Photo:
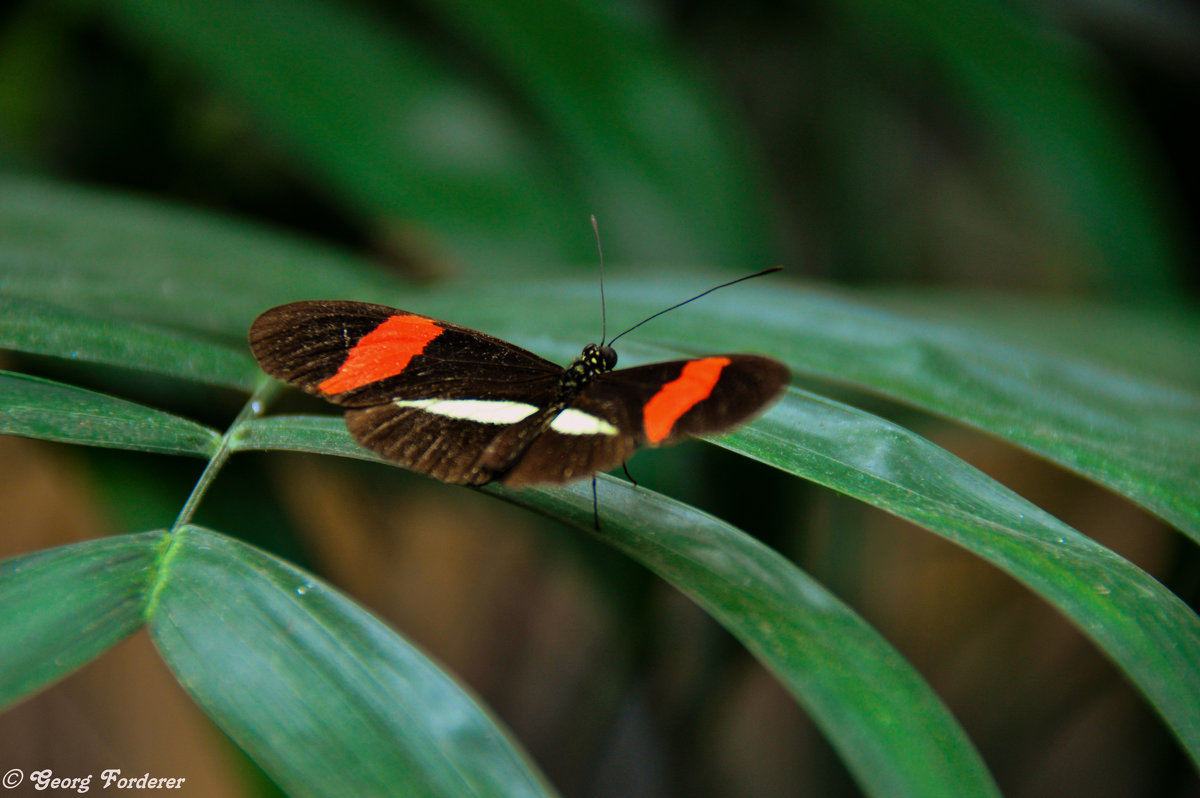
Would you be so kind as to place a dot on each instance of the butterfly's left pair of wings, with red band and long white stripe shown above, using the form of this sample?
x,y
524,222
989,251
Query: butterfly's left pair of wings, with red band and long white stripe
x,y
440,399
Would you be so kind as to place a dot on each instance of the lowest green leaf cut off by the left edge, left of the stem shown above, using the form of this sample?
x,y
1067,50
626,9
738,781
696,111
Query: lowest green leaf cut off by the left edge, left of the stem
x,y
63,607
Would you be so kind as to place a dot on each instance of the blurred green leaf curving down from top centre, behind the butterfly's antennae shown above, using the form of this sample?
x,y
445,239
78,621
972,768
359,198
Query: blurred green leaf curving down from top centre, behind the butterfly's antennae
x,y
637,127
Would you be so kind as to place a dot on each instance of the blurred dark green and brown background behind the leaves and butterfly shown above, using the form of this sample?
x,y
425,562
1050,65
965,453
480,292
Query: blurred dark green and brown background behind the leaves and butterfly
x,y
999,163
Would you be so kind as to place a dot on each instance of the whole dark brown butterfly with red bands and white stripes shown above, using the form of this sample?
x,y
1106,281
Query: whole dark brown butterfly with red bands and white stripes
x,y
469,409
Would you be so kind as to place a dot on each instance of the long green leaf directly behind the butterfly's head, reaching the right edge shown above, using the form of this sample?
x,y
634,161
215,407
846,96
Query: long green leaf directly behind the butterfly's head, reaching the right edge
x,y
1137,436
